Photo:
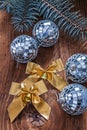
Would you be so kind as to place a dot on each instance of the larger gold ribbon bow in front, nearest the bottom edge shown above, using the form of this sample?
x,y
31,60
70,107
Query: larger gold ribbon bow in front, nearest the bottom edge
x,y
27,92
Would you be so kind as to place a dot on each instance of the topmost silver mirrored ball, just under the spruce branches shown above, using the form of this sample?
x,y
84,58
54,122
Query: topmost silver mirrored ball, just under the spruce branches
x,y
46,33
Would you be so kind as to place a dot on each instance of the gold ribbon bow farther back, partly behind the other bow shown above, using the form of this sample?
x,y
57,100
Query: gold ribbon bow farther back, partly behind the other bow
x,y
51,73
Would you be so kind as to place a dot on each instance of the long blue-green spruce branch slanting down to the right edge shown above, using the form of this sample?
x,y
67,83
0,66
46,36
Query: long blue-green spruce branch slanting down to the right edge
x,y
70,22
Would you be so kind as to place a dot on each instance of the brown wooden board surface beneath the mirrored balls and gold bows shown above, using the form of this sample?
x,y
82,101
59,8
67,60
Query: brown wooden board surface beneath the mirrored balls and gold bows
x,y
59,120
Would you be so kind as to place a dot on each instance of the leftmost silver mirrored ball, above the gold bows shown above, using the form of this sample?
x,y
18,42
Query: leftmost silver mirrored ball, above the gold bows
x,y
23,49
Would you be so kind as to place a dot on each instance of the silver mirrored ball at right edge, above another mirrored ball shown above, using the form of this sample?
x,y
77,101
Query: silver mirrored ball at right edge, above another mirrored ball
x,y
76,68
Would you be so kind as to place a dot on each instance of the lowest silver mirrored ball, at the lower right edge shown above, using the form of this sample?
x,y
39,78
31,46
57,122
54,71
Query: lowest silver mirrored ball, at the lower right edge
x,y
73,99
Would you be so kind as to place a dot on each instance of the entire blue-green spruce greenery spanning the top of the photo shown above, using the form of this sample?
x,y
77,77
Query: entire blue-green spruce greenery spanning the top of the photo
x,y
26,12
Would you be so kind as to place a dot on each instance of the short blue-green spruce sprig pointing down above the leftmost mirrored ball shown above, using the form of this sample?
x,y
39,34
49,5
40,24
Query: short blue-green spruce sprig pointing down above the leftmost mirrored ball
x,y
24,14
